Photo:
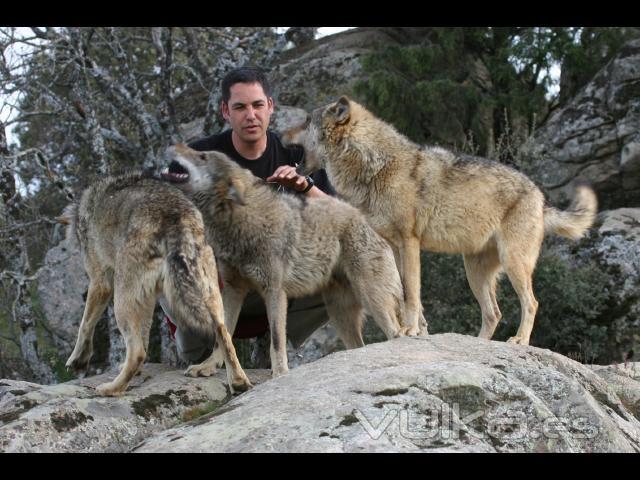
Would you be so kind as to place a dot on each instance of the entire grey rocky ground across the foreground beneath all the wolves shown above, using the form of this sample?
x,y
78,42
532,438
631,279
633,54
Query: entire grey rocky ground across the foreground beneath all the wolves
x,y
442,393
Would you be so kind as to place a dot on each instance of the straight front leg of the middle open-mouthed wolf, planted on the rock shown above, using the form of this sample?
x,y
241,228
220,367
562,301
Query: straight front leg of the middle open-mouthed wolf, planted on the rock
x,y
276,303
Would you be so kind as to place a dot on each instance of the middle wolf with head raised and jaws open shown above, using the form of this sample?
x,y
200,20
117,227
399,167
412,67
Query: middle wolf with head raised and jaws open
x,y
285,247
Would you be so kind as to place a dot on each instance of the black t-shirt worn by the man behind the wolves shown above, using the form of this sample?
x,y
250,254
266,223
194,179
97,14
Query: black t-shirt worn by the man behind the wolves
x,y
273,157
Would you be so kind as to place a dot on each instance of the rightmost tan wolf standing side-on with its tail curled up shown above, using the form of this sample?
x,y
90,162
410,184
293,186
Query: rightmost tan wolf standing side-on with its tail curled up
x,y
428,198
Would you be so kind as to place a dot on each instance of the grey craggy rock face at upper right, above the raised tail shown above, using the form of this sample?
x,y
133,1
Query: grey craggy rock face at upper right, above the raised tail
x,y
596,137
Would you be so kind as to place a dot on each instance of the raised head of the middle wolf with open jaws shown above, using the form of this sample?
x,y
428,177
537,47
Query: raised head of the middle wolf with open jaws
x,y
211,173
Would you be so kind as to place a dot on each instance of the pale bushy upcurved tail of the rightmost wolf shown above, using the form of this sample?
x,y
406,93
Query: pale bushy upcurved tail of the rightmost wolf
x,y
573,222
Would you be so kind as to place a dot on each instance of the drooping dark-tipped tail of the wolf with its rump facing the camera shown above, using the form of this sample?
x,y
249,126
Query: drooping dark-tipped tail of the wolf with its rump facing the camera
x,y
189,281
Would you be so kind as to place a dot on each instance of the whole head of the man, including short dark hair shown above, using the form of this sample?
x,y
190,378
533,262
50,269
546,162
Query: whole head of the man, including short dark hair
x,y
246,103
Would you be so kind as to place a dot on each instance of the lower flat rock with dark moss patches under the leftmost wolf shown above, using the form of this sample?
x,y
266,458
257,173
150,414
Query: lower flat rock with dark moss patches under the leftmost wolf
x,y
70,417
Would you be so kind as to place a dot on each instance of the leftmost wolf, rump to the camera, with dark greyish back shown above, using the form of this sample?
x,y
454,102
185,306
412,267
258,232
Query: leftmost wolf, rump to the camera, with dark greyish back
x,y
141,239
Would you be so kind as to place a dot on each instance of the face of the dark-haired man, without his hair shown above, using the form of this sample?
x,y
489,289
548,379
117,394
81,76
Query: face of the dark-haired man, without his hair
x,y
248,111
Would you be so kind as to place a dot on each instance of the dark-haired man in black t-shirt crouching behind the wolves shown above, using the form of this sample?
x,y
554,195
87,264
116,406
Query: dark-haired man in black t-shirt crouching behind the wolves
x,y
247,106
